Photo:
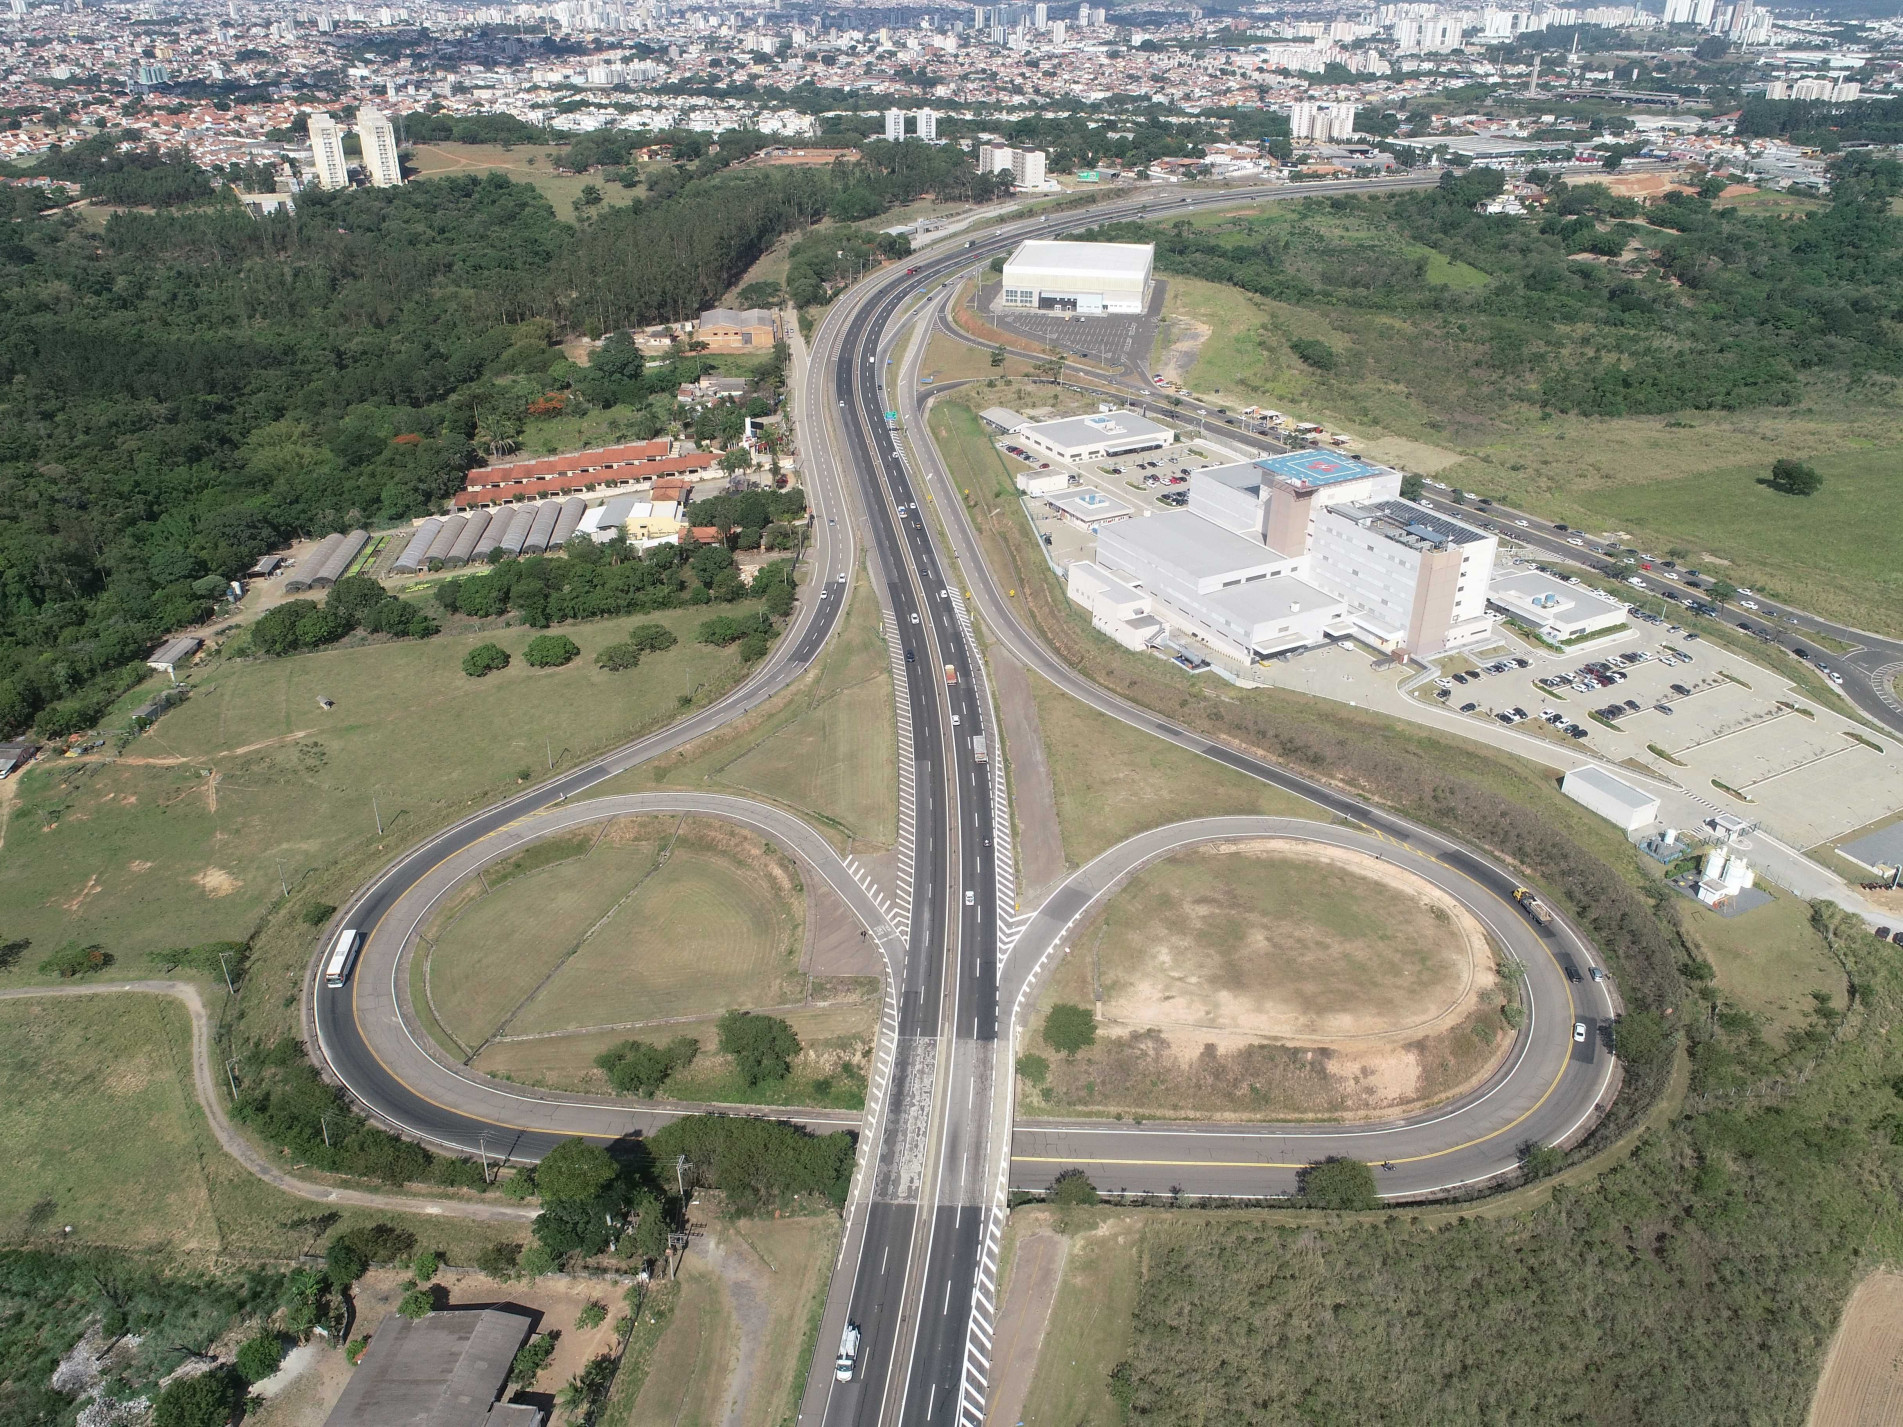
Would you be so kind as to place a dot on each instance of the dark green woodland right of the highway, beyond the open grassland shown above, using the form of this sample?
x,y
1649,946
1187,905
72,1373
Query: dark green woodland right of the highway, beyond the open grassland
x,y
1716,309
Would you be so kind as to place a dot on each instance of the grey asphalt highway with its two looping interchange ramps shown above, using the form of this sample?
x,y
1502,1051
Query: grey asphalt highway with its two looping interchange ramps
x,y
918,1261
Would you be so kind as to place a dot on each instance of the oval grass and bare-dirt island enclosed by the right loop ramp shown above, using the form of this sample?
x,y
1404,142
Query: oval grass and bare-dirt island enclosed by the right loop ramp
x,y
1278,977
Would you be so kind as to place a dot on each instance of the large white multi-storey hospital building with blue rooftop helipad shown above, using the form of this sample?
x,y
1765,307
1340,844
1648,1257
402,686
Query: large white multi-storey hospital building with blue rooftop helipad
x,y
1285,553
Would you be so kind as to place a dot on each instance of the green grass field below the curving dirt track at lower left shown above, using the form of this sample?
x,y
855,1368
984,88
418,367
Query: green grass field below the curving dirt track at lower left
x,y
106,1135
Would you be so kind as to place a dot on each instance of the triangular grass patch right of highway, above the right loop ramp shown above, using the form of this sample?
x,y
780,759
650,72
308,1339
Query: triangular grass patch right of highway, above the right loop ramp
x,y
1114,781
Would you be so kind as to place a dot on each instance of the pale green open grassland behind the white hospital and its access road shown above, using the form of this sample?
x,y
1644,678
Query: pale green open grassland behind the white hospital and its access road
x,y
1419,393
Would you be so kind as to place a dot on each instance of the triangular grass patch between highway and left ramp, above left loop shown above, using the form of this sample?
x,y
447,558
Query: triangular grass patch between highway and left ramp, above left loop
x,y
825,749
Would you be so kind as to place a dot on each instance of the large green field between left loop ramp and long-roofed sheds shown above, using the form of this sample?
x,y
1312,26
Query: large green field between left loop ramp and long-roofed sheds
x,y
182,840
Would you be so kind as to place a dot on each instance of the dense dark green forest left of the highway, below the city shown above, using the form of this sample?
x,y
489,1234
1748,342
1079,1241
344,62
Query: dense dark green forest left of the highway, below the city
x,y
195,387
